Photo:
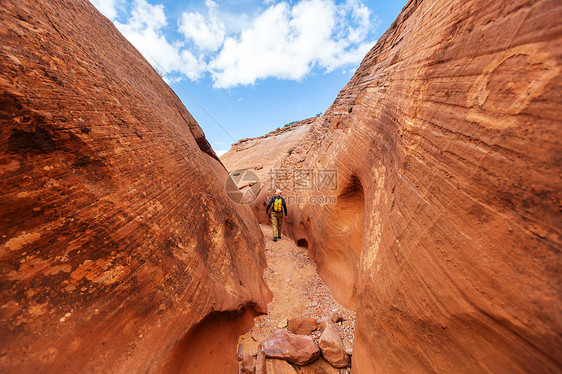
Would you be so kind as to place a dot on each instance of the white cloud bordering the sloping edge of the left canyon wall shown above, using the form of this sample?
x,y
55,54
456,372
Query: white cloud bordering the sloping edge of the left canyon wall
x,y
144,30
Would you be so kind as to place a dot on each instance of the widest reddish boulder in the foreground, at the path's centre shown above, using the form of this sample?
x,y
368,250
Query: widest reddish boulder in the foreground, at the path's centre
x,y
298,349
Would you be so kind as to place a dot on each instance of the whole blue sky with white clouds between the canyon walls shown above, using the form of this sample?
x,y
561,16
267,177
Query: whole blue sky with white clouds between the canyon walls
x,y
245,67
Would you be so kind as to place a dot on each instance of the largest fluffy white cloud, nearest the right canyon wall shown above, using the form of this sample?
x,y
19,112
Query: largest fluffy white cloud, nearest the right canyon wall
x,y
288,42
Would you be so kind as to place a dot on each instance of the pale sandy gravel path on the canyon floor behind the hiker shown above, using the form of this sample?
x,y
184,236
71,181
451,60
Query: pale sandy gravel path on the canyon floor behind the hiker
x,y
298,291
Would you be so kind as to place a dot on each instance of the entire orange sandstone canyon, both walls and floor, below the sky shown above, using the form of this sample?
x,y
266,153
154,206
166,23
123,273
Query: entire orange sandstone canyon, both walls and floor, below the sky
x,y
424,205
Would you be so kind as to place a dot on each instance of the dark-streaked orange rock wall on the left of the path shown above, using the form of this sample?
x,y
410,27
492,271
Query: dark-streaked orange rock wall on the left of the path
x,y
119,250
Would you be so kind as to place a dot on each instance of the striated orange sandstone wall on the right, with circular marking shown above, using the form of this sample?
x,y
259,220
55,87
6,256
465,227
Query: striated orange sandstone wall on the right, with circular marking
x,y
446,232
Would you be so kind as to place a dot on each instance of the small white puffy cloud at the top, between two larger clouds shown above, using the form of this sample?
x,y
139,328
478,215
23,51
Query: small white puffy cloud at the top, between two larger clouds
x,y
207,33
